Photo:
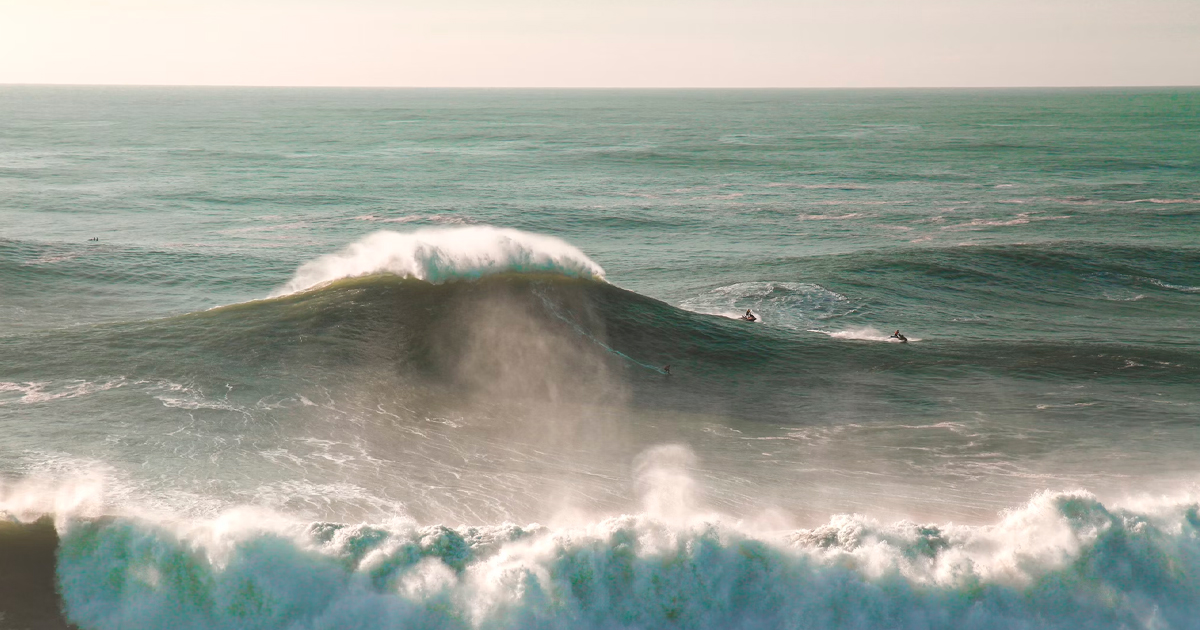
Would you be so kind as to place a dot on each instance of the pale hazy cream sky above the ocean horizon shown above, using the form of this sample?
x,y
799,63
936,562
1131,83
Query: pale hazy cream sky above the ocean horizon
x,y
603,43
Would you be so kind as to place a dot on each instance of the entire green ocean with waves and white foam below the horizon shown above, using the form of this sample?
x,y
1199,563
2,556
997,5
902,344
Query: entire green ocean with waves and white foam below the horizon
x,y
472,359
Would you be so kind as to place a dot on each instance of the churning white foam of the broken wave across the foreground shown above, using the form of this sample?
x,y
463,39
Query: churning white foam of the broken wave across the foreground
x,y
1063,560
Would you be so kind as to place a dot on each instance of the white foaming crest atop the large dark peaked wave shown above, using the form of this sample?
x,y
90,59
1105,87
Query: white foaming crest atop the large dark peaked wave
x,y
443,255
